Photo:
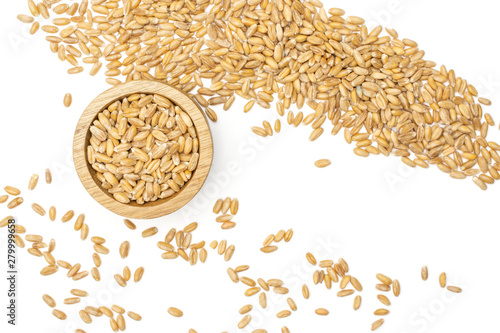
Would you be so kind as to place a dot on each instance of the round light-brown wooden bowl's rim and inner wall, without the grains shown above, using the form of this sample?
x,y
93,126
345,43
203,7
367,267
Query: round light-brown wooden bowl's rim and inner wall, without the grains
x,y
160,207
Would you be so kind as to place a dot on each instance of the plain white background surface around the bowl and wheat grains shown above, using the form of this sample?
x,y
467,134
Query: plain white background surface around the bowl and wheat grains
x,y
375,213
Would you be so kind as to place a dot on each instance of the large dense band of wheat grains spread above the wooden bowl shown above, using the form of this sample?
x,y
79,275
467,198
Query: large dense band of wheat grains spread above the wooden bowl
x,y
376,87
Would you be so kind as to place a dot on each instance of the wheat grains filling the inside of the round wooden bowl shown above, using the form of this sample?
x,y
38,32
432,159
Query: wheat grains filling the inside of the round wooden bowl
x,y
143,148
